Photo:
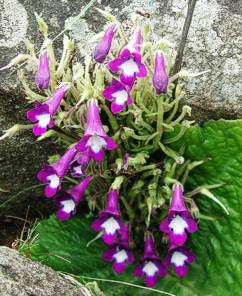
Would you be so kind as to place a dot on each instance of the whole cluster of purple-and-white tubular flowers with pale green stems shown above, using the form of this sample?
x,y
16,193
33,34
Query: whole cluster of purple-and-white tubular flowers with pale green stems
x,y
131,177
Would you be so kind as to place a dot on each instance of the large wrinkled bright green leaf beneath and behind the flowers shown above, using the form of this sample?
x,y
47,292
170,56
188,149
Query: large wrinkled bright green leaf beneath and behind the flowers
x,y
217,244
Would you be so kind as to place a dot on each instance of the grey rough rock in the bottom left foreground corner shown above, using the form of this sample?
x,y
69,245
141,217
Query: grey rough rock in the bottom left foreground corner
x,y
20,276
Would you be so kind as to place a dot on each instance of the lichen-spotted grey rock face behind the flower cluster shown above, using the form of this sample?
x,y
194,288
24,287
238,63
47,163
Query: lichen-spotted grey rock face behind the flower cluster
x,y
214,43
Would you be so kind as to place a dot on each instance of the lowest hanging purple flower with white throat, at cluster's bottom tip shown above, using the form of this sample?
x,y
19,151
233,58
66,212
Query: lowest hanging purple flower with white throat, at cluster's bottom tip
x,y
150,266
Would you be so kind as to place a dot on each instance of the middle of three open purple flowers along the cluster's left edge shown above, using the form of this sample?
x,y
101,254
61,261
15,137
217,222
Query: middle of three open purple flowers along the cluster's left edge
x,y
53,174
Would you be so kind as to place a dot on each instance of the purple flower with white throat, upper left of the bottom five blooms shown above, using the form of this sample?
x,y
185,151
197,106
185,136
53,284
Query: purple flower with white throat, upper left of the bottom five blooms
x,y
109,220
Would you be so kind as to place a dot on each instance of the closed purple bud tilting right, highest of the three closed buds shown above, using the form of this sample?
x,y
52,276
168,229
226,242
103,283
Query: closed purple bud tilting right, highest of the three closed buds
x,y
102,48
